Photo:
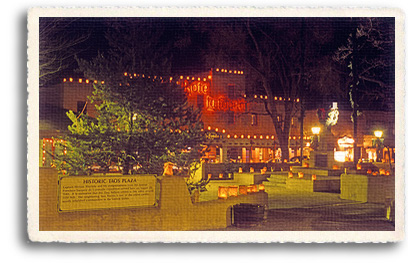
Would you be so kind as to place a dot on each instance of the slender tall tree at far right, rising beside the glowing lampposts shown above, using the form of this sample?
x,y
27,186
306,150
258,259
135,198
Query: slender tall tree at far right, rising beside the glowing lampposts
x,y
368,55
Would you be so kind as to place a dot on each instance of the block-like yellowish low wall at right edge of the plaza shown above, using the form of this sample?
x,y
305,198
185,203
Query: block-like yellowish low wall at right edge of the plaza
x,y
367,188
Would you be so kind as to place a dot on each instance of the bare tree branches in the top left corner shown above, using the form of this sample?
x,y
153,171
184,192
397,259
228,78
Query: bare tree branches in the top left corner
x,y
57,48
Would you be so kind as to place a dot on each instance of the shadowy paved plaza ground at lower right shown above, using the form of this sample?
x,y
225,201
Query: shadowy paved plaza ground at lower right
x,y
317,211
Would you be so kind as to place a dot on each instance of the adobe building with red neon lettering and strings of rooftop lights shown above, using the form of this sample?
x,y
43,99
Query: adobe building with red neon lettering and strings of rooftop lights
x,y
238,129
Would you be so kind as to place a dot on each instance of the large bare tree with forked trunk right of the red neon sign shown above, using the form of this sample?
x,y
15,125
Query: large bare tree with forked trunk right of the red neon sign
x,y
278,60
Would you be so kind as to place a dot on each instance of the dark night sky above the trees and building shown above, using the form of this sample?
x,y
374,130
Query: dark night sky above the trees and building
x,y
192,36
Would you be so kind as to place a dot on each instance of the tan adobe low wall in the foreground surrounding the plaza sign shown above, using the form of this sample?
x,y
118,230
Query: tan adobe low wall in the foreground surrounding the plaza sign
x,y
174,212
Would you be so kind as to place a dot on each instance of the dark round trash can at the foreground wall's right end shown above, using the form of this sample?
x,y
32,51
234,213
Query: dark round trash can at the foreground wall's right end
x,y
247,214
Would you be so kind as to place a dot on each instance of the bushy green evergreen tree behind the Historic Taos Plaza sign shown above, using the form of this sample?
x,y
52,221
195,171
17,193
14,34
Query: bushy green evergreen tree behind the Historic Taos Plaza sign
x,y
143,117
